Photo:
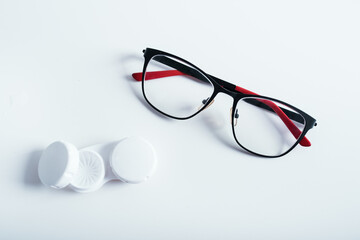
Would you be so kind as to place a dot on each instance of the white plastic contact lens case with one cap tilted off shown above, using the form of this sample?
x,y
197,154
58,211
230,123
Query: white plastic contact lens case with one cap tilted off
x,y
130,160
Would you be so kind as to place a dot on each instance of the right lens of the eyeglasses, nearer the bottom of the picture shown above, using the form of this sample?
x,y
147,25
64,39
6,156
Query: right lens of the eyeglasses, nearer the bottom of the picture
x,y
267,127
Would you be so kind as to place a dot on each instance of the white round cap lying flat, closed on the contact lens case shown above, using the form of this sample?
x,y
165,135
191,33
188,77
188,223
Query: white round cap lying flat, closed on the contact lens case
x,y
133,160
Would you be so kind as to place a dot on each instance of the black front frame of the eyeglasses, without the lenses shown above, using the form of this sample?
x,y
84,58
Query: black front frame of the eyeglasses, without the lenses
x,y
221,86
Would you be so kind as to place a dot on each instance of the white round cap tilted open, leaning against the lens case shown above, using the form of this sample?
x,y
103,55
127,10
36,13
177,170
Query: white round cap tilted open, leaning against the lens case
x,y
58,164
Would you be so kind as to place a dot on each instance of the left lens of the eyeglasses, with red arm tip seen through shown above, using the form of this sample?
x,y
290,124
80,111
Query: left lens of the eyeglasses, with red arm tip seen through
x,y
176,88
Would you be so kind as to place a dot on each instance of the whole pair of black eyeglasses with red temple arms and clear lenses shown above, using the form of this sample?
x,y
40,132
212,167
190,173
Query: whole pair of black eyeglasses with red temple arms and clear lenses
x,y
261,125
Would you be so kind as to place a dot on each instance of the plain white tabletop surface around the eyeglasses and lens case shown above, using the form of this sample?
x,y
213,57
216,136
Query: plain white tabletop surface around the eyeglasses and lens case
x,y
65,74
